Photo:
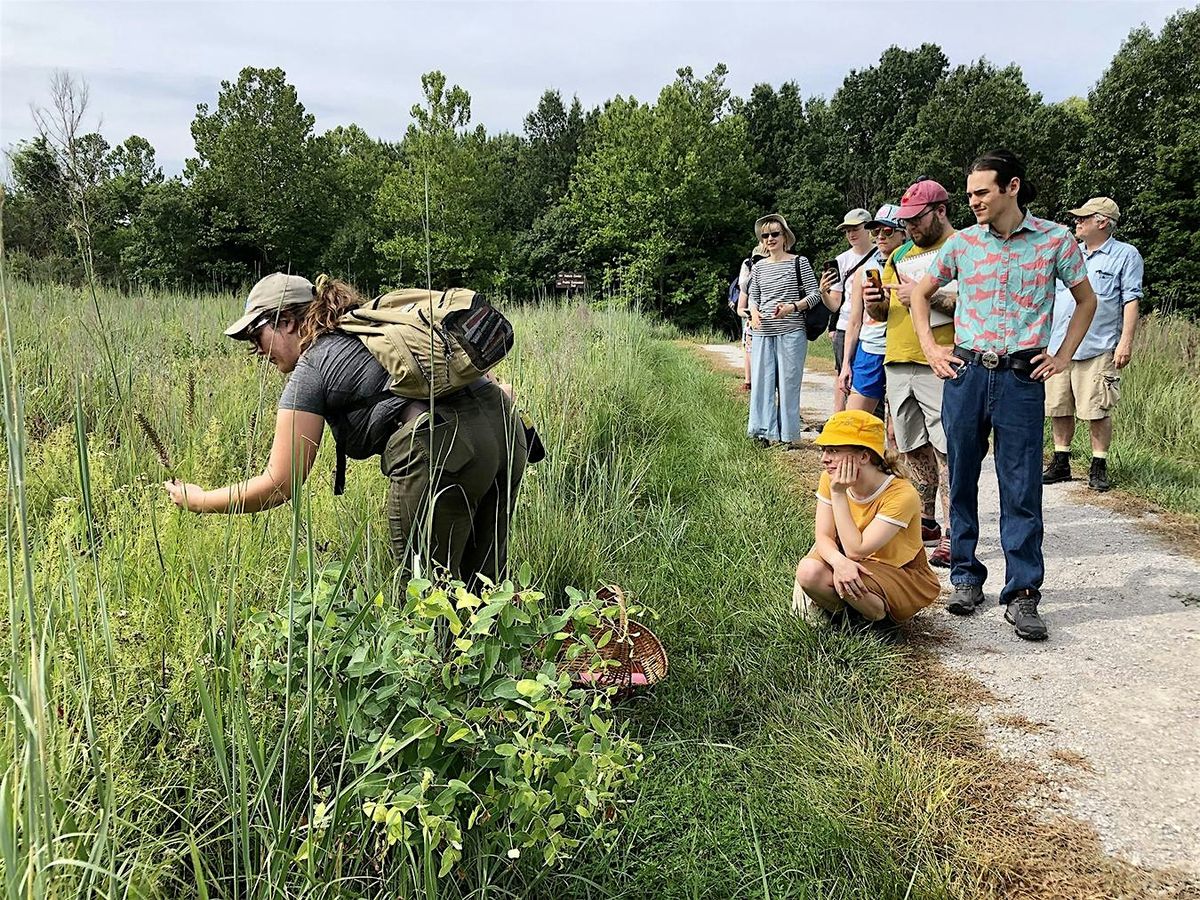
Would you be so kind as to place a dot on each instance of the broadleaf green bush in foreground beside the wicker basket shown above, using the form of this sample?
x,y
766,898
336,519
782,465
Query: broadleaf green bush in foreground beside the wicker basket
x,y
449,718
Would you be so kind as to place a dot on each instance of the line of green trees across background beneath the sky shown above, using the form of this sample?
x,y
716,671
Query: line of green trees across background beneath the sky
x,y
652,202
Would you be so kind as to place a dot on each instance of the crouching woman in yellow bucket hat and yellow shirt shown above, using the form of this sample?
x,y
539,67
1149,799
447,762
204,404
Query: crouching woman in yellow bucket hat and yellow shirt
x,y
868,554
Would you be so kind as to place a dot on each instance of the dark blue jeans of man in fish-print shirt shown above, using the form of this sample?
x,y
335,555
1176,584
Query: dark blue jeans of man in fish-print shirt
x,y
976,404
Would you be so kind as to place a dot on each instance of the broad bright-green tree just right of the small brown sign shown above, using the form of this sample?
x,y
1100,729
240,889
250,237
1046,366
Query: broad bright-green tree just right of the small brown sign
x,y
662,193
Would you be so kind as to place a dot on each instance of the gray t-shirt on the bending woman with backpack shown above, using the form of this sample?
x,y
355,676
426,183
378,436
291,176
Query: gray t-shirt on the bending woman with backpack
x,y
338,373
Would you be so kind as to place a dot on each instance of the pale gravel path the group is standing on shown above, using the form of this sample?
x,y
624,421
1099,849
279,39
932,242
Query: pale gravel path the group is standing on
x,y
1109,707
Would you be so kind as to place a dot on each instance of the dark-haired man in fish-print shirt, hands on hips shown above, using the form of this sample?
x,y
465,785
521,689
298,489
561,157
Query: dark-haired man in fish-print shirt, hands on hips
x,y
1006,267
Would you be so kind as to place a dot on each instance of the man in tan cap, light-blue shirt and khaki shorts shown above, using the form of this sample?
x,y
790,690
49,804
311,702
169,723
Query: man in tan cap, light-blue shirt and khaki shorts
x,y
1090,388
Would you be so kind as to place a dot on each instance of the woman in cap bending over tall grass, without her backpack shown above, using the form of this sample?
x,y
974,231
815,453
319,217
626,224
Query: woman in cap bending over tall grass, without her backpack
x,y
466,457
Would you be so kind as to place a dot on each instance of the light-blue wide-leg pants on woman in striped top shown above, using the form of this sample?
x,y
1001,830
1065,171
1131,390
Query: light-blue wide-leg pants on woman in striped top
x,y
777,368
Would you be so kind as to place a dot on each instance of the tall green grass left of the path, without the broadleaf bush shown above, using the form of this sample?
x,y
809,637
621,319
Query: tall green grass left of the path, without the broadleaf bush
x,y
140,761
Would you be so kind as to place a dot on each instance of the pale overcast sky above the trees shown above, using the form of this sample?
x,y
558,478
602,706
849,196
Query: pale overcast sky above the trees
x,y
149,63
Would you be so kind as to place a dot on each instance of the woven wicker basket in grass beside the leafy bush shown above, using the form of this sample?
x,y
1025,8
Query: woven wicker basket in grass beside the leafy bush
x,y
635,657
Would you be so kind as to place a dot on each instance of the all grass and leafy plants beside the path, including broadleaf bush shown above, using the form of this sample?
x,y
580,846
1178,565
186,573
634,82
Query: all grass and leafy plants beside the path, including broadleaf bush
x,y
260,707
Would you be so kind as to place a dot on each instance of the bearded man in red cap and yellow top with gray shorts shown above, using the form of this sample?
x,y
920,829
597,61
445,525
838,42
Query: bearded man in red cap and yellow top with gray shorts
x,y
914,391
